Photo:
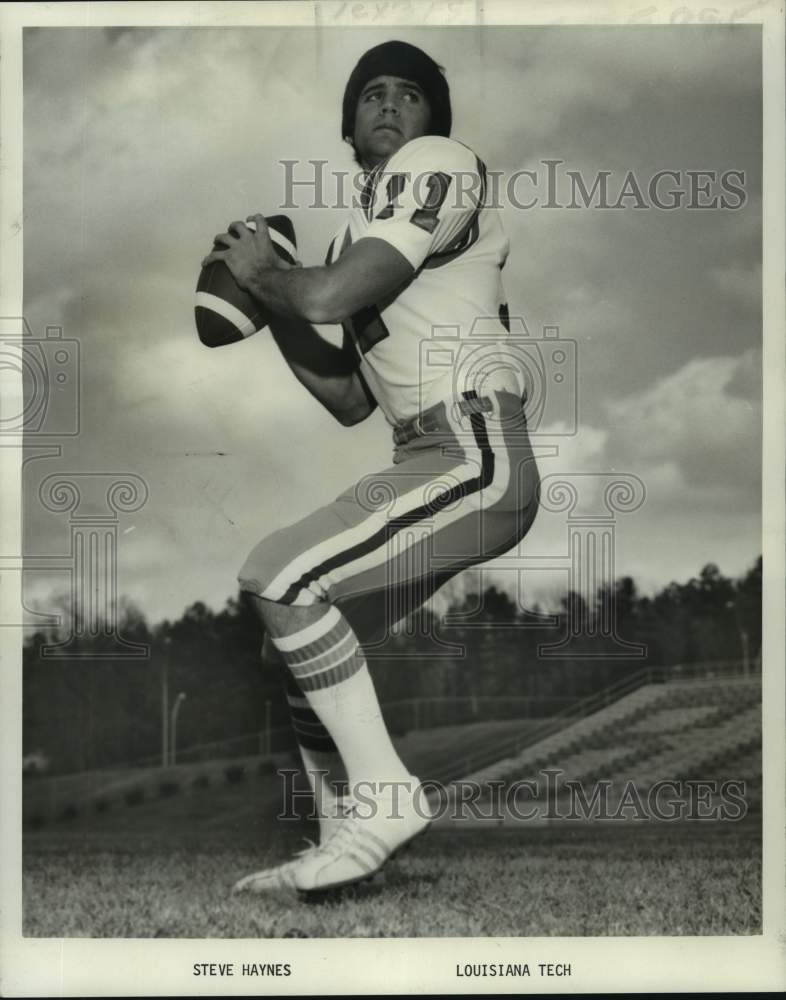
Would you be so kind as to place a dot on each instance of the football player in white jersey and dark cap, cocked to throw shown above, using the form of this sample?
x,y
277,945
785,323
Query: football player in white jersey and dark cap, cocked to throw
x,y
421,251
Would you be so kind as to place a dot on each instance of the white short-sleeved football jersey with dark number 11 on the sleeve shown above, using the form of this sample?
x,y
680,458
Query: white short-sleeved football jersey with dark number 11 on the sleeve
x,y
416,348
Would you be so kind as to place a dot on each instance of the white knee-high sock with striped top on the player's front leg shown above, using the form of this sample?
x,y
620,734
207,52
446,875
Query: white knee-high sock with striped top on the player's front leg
x,y
329,667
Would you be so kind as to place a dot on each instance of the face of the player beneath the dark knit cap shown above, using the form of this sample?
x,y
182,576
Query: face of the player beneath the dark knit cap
x,y
390,112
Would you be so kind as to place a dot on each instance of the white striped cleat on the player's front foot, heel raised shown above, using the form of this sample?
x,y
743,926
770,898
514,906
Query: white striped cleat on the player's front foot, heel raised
x,y
365,840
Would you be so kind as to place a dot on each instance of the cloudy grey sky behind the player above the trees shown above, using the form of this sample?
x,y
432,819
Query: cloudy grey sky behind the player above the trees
x,y
141,144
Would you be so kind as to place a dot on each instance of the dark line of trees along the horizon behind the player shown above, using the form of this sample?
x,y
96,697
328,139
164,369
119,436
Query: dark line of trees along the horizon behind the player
x,y
484,654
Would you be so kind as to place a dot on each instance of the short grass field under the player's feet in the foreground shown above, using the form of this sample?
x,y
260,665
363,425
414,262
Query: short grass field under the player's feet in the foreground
x,y
564,881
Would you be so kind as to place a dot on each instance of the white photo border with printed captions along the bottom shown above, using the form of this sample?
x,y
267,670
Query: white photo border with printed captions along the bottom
x,y
84,967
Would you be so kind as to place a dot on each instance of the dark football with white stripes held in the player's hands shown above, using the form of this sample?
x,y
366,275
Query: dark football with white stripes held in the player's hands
x,y
223,311
